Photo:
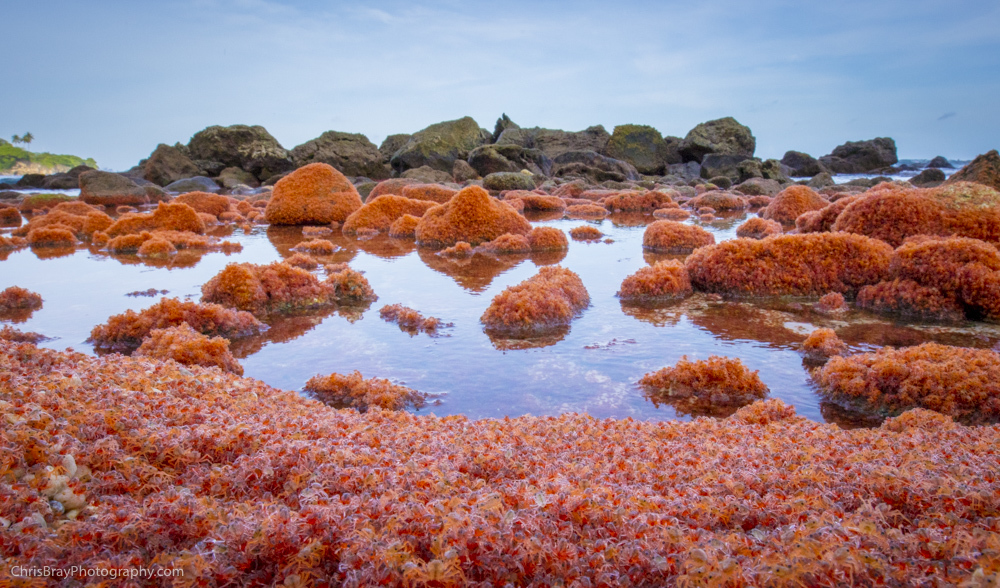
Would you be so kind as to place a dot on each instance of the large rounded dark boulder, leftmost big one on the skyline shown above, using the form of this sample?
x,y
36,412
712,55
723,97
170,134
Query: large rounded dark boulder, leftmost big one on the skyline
x,y
249,147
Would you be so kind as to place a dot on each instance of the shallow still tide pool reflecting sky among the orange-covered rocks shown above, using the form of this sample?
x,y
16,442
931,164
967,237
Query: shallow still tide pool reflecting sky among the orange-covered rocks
x,y
592,367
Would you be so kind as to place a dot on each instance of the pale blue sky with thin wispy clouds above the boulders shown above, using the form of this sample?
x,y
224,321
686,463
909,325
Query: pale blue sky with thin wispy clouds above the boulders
x,y
111,80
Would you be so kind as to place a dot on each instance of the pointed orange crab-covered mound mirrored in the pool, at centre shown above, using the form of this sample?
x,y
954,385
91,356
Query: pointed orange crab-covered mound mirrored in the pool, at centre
x,y
472,216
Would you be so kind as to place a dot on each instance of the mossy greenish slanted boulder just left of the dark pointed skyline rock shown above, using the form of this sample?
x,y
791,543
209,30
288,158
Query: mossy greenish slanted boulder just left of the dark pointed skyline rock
x,y
439,145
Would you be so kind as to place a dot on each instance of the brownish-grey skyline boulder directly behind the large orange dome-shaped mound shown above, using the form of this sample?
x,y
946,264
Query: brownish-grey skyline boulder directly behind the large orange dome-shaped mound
x,y
350,153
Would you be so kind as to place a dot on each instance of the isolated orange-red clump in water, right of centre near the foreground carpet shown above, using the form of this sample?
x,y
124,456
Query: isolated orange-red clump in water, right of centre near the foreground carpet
x,y
703,385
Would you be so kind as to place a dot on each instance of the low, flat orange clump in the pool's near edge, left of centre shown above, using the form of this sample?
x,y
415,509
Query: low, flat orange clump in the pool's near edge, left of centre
x,y
353,391
